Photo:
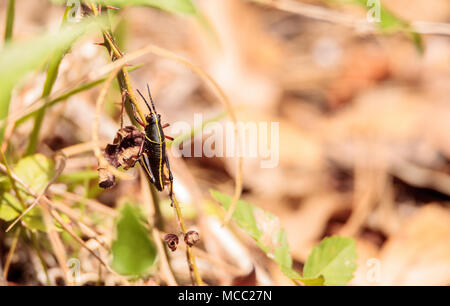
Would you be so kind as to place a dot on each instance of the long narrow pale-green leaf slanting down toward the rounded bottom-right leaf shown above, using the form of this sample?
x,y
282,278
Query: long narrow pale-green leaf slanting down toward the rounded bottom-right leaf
x,y
264,228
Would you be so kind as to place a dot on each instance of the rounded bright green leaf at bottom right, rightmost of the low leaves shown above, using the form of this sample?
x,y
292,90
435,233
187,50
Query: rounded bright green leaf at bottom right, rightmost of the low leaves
x,y
334,259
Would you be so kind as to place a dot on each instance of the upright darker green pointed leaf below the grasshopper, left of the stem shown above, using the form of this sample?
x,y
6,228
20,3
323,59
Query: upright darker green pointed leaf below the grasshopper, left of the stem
x,y
133,251
